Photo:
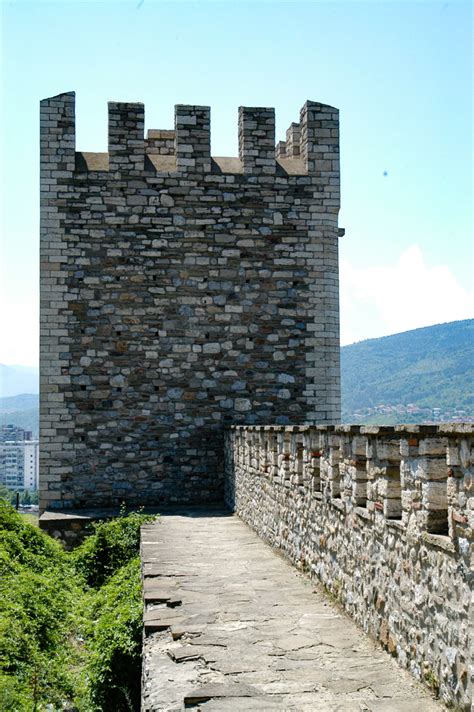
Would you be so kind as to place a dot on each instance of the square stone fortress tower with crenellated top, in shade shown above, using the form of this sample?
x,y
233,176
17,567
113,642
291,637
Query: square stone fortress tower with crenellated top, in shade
x,y
181,293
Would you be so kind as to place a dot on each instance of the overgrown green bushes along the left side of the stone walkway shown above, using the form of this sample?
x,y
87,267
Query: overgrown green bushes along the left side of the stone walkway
x,y
70,623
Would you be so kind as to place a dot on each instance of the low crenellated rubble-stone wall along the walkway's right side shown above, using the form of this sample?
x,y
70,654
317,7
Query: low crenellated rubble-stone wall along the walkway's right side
x,y
384,518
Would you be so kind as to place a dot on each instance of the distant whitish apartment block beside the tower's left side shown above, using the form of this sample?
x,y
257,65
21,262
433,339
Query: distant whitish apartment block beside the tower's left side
x,y
19,463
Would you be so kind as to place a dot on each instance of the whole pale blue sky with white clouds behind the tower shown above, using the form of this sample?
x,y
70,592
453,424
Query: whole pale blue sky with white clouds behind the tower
x,y
400,73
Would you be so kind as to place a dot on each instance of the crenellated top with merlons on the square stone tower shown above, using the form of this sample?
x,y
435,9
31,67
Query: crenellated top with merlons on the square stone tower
x,y
311,146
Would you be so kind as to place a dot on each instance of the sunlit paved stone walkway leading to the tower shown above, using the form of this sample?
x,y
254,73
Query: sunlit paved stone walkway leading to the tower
x,y
229,625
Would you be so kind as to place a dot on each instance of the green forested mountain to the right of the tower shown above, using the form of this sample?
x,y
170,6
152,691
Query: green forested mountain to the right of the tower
x,y
417,376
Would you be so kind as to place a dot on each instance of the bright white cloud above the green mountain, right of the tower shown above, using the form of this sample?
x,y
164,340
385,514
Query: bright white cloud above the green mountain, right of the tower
x,y
381,300
